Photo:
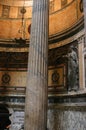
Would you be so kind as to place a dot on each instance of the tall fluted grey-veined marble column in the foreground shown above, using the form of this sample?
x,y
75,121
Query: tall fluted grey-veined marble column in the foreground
x,y
36,90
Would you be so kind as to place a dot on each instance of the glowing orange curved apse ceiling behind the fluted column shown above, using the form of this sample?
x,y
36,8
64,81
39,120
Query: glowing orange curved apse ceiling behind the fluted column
x,y
64,14
